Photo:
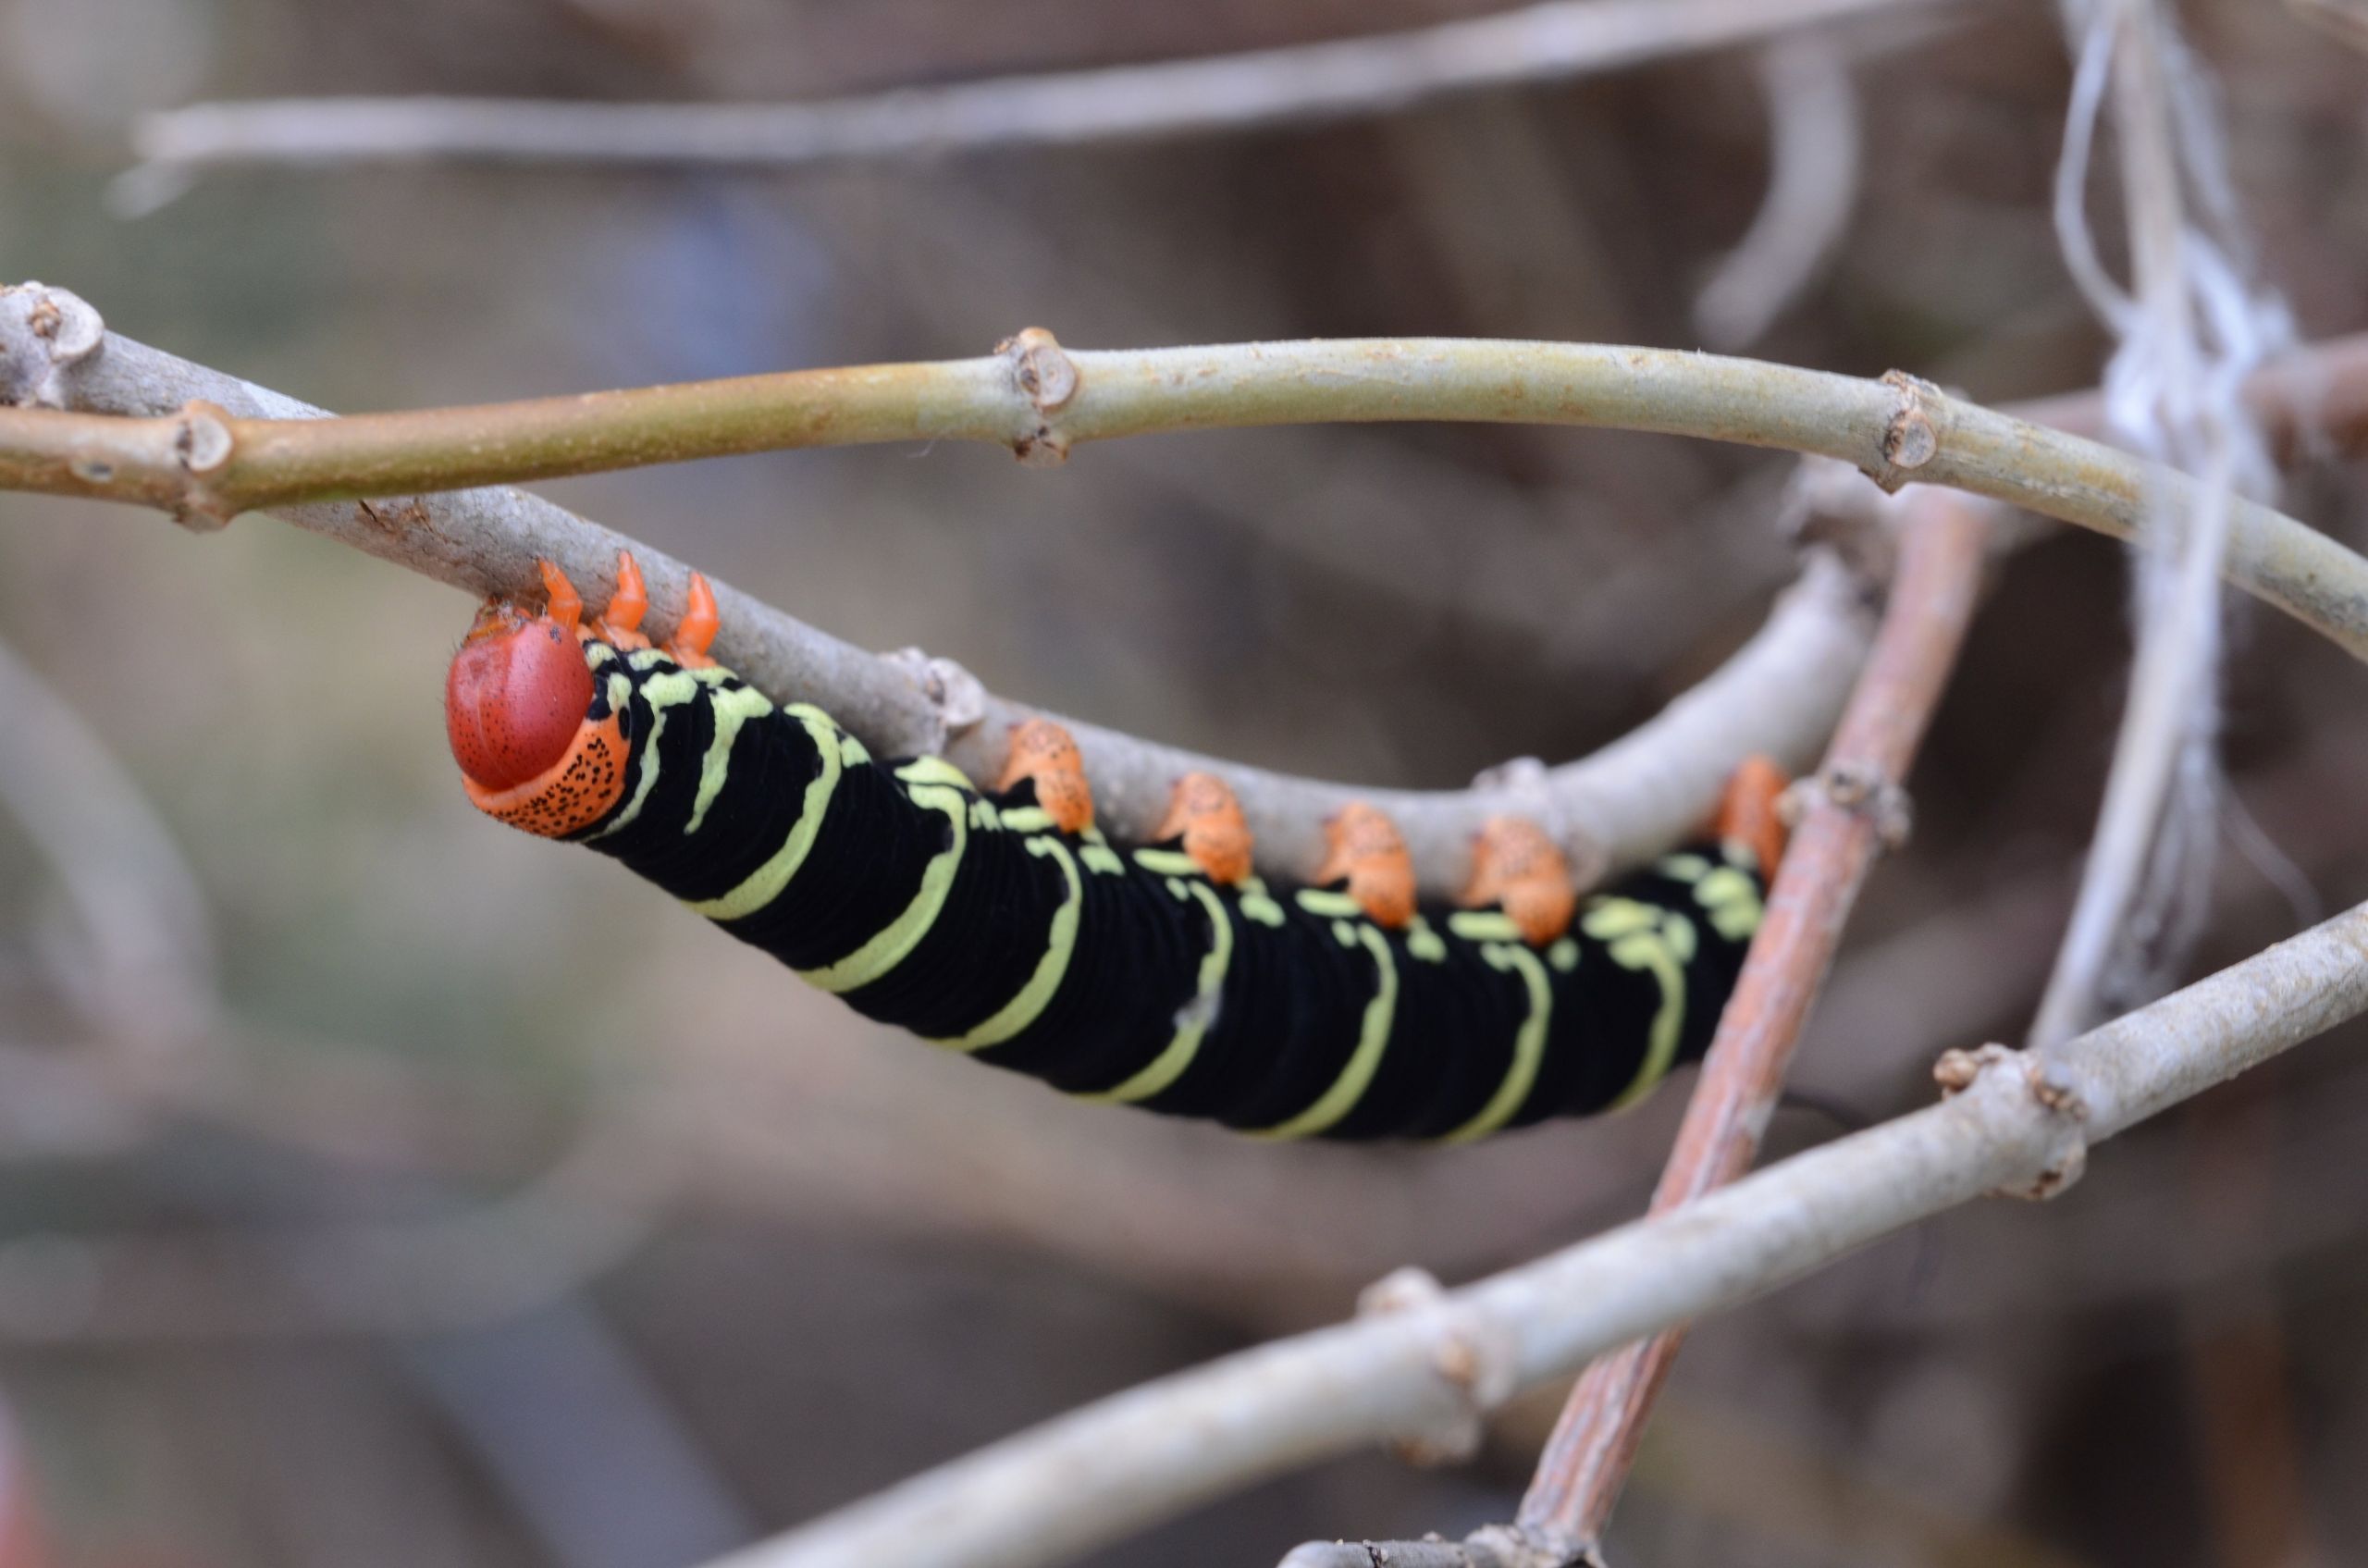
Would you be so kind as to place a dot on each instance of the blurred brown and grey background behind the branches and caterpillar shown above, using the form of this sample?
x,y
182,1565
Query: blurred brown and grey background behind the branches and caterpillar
x,y
387,1188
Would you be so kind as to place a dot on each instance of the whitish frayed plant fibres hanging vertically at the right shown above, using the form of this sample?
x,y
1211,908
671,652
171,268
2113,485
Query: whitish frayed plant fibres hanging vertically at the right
x,y
2192,330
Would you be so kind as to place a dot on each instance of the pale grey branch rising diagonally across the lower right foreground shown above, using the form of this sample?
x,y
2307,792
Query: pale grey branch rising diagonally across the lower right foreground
x,y
2016,1122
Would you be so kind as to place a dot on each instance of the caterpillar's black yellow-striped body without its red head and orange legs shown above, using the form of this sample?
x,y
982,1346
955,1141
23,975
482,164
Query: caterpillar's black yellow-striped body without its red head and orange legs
x,y
1126,972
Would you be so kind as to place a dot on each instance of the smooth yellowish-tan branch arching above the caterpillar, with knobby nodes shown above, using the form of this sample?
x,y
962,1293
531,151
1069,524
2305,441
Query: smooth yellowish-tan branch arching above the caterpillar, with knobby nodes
x,y
1038,399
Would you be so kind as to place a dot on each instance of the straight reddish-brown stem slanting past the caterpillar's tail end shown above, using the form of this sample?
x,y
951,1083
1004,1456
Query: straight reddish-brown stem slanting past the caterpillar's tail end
x,y
1851,809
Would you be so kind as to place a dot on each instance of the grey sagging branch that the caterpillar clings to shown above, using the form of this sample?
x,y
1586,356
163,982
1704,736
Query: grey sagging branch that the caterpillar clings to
x,y
1628,802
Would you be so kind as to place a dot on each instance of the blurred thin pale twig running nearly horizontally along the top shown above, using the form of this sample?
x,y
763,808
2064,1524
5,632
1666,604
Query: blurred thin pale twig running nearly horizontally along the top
x,y
1353,77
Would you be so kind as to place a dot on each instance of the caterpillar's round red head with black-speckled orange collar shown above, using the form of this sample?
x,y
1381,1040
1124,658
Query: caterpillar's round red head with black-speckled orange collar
x,y
515,714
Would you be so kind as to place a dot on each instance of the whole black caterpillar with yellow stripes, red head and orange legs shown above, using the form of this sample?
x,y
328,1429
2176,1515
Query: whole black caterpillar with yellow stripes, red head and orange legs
x,y
1166,975
